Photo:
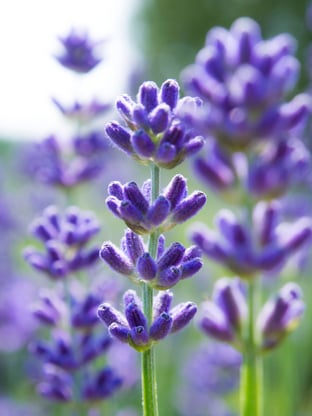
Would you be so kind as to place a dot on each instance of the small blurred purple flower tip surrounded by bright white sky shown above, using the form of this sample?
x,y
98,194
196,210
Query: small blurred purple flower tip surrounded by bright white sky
x,y
79,53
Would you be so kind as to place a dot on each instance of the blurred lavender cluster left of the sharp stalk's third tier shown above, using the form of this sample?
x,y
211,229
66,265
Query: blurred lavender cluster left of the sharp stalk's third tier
x,y
65,238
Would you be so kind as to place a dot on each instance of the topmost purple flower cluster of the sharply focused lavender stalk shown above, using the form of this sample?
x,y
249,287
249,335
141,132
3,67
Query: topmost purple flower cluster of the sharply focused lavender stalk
x,y
152,131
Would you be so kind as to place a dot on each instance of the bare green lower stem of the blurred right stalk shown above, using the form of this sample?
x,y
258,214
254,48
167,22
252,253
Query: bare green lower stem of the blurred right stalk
x,y
251,373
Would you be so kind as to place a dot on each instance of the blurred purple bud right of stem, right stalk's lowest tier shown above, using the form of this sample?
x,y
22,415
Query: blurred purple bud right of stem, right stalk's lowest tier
x,y
280,315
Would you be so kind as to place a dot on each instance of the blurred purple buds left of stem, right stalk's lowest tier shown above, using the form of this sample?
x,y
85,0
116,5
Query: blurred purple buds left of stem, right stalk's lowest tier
x,y
223,317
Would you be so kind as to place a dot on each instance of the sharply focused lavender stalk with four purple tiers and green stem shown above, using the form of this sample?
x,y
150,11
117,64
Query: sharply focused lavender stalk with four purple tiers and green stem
x,y
154,137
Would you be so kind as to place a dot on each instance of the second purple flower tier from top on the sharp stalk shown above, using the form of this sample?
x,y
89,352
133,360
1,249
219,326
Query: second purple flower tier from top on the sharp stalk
x,y
173,206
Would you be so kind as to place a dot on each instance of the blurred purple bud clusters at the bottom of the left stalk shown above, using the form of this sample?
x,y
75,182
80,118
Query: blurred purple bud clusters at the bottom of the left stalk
x,y
73,347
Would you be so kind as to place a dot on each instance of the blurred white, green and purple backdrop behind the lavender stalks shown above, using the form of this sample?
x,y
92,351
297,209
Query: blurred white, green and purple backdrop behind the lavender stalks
x,y
142,40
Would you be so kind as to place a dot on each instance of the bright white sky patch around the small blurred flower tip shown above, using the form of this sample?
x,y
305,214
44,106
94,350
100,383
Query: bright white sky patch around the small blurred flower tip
x,y
30,76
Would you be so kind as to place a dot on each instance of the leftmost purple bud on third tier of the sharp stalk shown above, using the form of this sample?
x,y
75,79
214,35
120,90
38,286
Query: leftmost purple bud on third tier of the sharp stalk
x,y
116,259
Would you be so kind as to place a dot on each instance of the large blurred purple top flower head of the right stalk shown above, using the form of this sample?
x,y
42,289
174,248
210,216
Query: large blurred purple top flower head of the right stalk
x,y
243,80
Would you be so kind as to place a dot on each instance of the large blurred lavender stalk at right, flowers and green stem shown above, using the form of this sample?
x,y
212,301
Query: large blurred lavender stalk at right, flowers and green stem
x,y
254,157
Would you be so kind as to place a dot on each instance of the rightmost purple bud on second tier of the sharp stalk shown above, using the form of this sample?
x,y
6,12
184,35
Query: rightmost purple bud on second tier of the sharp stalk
x,y
188,207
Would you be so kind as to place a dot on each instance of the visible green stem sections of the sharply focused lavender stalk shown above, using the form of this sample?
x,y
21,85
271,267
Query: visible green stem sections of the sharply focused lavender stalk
x,y
148,372
